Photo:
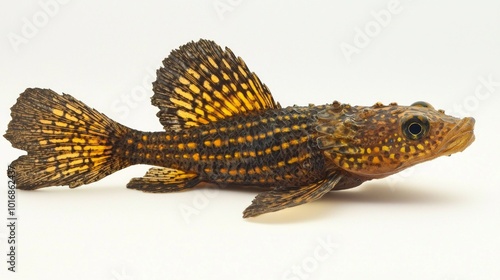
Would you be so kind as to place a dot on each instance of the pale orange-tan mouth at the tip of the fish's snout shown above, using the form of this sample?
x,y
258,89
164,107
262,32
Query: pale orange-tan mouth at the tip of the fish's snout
x,y
459,137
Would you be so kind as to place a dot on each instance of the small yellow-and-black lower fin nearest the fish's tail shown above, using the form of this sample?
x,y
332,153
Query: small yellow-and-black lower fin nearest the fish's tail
x,y
159,179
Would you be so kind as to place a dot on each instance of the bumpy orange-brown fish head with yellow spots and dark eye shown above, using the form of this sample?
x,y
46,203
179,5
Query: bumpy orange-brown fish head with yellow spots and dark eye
x,y
377,141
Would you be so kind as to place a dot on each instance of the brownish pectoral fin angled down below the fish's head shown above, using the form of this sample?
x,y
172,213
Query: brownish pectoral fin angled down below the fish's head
x,y
281,198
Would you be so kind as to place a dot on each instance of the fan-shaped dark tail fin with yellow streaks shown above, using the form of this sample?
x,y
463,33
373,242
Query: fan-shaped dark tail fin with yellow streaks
x,y
68,143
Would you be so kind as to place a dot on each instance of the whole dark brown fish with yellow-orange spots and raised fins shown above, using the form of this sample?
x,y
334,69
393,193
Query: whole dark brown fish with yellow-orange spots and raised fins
x,y
222,126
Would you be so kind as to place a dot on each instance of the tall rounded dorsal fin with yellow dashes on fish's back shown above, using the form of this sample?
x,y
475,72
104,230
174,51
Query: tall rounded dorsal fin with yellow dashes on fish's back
x,y
201,83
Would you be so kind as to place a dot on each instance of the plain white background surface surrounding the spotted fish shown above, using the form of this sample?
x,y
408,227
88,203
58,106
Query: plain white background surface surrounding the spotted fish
x,y
440,220
